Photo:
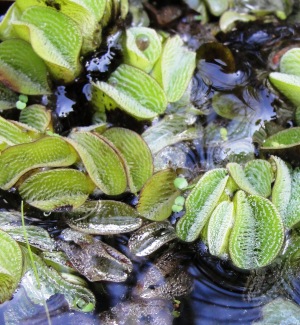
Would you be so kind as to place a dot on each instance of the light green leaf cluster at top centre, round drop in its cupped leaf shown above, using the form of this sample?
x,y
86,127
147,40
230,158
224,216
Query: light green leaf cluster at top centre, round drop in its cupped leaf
x,y
142,95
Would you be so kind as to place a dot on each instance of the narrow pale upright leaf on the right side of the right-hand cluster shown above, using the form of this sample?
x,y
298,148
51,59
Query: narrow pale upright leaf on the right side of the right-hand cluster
x,y
282,188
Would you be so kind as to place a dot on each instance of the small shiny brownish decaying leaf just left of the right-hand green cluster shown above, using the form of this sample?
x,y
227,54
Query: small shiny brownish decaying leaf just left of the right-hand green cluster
x,y
150,238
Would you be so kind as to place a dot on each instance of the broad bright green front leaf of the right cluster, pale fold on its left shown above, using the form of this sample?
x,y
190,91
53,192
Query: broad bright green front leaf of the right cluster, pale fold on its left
x,y
258,233
